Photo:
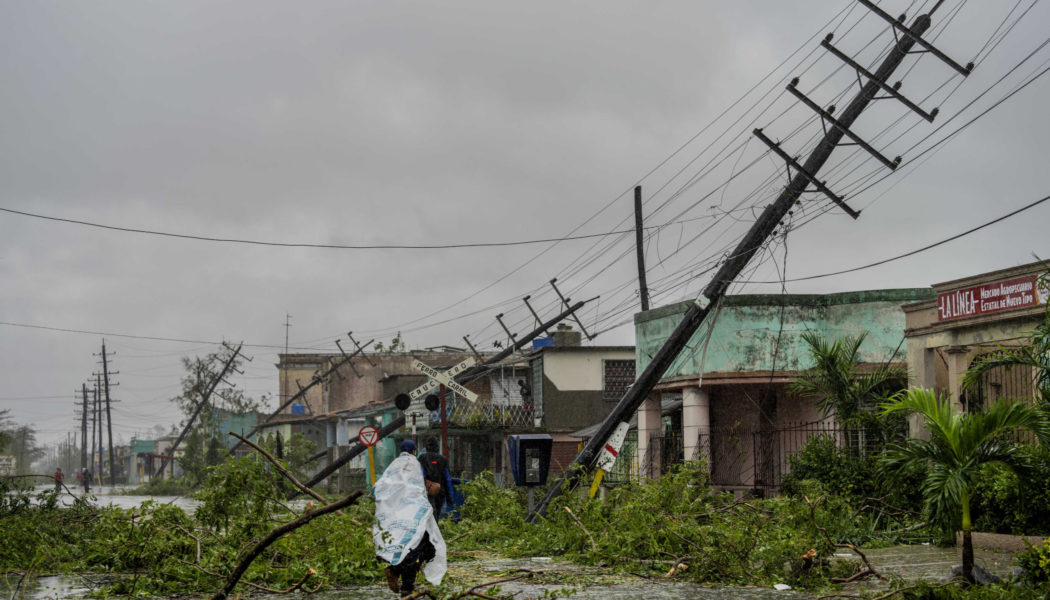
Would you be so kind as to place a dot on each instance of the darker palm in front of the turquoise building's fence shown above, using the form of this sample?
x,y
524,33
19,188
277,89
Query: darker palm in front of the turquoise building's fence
x,y
841,385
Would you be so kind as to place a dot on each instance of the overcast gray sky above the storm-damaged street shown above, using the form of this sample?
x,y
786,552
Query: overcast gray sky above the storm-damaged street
x,y
372,123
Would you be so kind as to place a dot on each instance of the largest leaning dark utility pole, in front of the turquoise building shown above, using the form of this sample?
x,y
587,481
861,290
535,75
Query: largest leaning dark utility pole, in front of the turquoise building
x,y
752,242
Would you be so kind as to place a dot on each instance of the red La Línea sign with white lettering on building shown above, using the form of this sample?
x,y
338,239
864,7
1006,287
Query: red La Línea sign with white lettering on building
x,y
1010,295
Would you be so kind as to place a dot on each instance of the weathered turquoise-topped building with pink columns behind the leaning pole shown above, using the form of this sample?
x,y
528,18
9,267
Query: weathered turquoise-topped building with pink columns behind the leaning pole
x,y
736,409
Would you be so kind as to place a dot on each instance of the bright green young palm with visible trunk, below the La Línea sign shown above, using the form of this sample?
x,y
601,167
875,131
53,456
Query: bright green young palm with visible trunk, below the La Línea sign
x,y
959,445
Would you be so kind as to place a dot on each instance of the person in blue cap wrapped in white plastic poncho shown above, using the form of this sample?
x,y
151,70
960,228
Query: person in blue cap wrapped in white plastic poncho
x,y
406,532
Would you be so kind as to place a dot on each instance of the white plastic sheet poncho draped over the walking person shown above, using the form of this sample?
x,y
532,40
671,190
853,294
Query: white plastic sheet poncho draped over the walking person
x,y
404,514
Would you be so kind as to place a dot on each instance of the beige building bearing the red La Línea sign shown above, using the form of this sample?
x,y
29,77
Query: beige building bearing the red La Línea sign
x,y
971,318
